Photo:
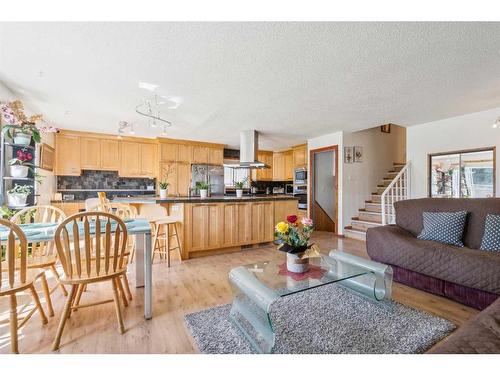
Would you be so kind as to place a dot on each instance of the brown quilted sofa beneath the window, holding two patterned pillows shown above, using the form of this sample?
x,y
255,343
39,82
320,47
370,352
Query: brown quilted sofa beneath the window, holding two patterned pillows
x,y
465,274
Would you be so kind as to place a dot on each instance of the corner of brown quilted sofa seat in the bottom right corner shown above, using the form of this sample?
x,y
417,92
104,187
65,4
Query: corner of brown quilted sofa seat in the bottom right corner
x,y
481,334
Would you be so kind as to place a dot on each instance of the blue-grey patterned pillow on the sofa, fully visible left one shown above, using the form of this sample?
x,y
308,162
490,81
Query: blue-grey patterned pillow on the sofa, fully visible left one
x,y
445,227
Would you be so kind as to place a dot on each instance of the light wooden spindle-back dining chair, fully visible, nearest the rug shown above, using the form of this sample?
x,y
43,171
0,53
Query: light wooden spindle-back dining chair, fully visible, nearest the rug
x,y
92,248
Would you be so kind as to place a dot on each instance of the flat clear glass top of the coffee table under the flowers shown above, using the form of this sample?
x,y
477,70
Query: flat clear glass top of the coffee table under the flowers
x,y
322,270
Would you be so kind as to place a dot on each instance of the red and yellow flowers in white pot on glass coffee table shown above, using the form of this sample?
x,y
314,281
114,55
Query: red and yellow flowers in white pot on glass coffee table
x,y
293,239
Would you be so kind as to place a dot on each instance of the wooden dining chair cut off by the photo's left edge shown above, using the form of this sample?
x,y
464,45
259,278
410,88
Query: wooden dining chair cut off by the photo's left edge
x,y
15,277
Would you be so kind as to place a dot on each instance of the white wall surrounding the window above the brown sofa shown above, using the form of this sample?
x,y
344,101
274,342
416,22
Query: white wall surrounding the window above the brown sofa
x,y
470,131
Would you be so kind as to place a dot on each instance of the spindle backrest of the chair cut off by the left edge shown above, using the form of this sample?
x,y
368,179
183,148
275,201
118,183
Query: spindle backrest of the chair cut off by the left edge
x,y
14,251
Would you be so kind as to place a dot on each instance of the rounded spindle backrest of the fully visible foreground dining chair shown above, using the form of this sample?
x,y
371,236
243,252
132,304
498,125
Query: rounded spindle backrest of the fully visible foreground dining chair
x,y
91,244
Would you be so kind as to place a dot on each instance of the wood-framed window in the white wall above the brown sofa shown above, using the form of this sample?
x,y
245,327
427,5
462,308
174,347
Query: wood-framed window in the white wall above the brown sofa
x,y
462,174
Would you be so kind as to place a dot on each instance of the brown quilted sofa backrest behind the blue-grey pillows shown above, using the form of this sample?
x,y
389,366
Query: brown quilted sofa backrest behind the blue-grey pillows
x,y
409,214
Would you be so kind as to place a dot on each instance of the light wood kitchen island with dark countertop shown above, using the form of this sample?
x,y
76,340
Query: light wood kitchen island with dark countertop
x,y
219,223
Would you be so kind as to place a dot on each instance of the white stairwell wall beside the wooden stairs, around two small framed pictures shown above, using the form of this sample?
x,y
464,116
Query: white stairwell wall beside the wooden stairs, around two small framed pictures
x,y
380,150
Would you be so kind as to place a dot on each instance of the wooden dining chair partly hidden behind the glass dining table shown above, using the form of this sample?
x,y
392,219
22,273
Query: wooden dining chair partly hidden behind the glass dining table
x,y
43,254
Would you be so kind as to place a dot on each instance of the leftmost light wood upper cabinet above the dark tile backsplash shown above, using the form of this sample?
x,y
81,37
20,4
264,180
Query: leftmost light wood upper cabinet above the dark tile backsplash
x,y
67,155
